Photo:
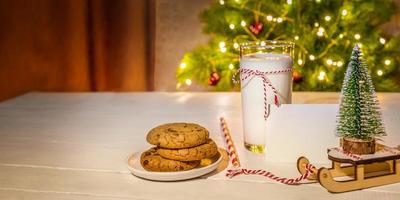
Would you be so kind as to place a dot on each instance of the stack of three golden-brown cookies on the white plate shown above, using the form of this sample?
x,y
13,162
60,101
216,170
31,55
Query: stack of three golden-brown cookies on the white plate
x,y
180,146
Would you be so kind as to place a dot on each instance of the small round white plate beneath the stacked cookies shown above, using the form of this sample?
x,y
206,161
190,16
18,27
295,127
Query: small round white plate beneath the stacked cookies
x,y
206,166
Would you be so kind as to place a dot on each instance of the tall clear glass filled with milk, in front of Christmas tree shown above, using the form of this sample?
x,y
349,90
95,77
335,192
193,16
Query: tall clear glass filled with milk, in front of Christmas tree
x,y
263,56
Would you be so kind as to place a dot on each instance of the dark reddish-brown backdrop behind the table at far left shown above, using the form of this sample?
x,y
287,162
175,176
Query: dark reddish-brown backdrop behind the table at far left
x,y
73,45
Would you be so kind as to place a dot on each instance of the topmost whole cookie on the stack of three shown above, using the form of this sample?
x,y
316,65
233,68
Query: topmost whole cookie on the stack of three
x,y
178,135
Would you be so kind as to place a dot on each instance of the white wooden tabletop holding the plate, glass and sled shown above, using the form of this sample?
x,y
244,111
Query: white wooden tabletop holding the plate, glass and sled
x,y
75,146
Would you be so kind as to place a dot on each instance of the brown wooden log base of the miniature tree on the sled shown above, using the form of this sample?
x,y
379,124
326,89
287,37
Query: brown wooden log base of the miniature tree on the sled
x,y
357,146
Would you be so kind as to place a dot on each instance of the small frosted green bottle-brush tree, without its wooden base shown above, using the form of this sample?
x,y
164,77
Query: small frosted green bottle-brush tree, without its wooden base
x,y
359,115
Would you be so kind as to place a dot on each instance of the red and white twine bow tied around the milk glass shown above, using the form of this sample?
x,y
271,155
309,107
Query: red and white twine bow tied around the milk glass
x,y
247,73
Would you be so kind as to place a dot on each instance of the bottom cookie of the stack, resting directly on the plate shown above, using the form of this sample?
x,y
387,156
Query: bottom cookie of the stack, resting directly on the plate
x,y
152,161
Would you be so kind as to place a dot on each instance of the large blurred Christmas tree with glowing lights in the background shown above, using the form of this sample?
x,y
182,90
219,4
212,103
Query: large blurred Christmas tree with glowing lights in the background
x,y
324,32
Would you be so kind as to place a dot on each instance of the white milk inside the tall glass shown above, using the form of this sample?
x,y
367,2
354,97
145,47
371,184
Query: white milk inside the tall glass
x,y
254,124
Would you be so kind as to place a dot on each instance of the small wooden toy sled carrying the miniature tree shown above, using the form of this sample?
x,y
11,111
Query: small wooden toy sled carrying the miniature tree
x,y
350,173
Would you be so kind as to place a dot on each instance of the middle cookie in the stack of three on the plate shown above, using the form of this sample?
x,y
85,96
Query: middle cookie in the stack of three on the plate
x,y
206,150
